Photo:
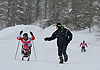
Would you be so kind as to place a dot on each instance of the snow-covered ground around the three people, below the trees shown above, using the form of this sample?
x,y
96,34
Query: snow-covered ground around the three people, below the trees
x,y
46,52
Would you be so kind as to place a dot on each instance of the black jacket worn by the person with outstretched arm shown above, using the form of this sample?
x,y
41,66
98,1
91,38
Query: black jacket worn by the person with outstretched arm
x,y
63,35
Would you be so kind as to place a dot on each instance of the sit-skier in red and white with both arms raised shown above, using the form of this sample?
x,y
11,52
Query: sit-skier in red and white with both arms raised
x,y
26,44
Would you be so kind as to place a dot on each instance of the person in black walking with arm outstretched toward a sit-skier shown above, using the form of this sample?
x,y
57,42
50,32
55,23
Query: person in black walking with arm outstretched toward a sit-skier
x,y
64,36
